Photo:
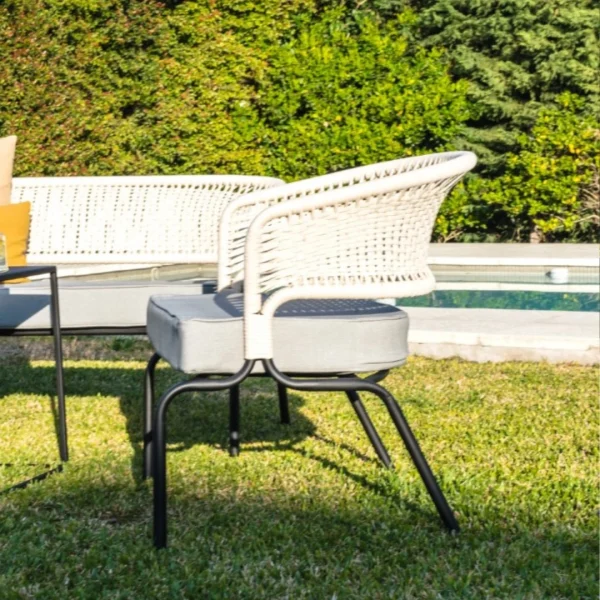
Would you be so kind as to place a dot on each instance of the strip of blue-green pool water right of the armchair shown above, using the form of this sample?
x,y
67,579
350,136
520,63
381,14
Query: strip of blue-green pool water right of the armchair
x,y
517,300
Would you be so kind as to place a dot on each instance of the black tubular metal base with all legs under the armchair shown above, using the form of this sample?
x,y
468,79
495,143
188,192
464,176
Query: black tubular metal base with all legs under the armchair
x,y
155,425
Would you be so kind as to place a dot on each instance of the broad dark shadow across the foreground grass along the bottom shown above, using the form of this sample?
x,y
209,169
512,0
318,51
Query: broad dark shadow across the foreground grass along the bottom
x,y
252,546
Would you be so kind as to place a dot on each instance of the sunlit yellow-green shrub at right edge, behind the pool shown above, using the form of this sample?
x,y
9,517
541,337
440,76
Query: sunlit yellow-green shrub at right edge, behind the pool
x,y
549,191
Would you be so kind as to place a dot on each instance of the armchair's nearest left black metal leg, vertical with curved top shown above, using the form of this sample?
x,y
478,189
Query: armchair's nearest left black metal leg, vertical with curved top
x,y
159,441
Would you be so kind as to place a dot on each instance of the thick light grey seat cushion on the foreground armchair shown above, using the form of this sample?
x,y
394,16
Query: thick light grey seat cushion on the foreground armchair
x,y
204,334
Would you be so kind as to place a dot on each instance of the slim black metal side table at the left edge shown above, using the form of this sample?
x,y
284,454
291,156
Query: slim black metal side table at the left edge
x,y
29,271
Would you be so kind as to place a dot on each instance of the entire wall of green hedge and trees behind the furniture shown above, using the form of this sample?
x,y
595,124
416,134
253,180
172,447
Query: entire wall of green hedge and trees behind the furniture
x,y
294,88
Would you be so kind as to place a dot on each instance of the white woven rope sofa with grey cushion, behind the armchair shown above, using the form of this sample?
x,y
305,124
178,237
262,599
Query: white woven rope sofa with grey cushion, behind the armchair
x,y
81,222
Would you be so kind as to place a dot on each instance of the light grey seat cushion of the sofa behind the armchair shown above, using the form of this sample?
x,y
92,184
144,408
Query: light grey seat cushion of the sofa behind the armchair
x,y
83,305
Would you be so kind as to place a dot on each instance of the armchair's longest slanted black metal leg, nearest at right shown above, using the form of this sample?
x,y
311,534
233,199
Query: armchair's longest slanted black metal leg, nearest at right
x,y
418,459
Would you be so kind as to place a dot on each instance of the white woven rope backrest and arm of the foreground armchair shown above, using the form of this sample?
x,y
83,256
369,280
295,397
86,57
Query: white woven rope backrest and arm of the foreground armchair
x,y
366,240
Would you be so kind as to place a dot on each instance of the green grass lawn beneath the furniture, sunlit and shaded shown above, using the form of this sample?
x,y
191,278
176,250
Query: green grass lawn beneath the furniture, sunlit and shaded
x,y
306,511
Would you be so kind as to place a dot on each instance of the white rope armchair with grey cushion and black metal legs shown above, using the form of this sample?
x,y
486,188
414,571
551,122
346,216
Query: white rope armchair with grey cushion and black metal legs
x,y
300,269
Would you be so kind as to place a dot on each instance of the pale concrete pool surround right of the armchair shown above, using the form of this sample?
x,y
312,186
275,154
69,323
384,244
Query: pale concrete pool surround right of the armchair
x,y
496,335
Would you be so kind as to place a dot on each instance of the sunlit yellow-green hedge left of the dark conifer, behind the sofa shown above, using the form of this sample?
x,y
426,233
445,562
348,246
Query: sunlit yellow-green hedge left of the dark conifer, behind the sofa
x,y
136,87
